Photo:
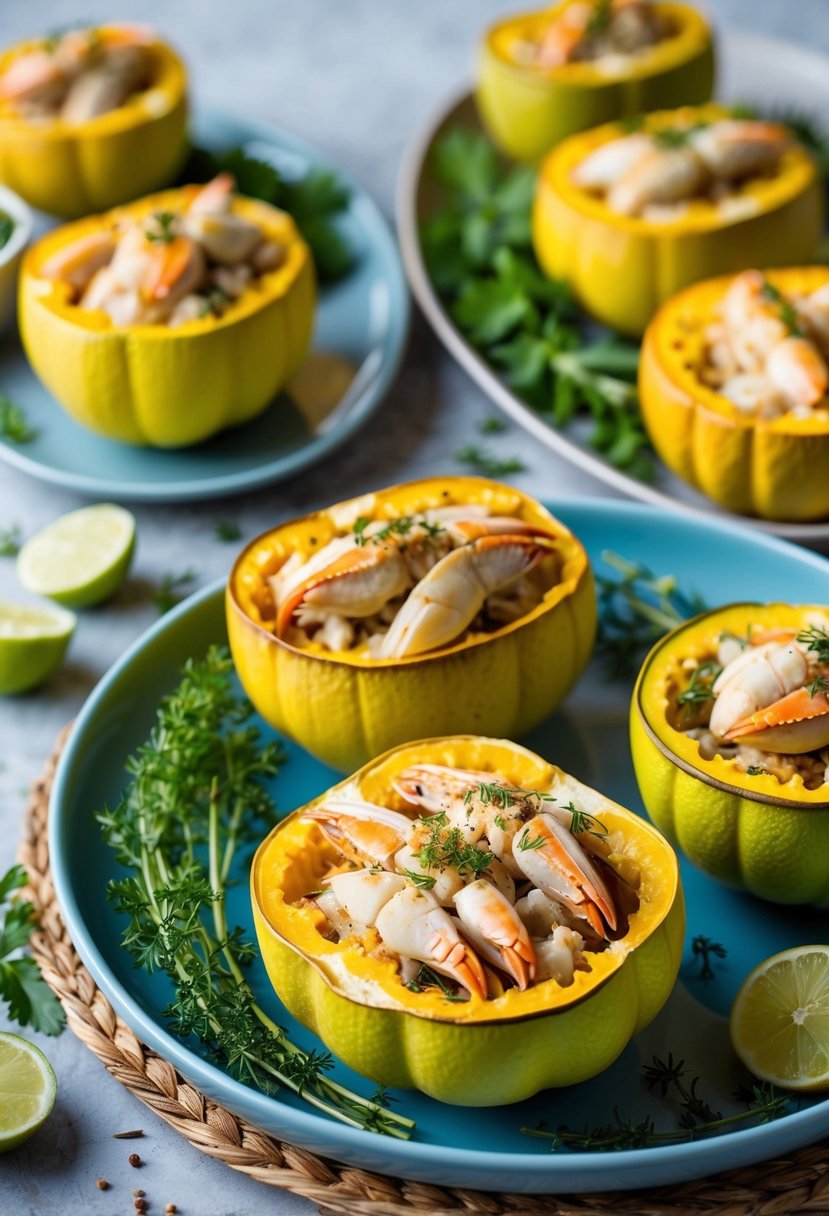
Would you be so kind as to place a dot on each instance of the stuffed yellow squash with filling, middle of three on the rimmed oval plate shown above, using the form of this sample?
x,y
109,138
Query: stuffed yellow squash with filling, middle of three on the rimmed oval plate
x,y
631,217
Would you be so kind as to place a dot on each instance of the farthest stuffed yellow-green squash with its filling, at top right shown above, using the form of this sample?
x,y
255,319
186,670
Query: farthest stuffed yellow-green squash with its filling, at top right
x,y
548,75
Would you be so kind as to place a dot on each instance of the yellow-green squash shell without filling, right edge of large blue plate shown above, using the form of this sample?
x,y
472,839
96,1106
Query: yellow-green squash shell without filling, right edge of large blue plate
x,y
748,832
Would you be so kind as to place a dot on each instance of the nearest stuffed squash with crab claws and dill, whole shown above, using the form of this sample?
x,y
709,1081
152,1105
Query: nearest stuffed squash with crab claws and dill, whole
x,y
465,919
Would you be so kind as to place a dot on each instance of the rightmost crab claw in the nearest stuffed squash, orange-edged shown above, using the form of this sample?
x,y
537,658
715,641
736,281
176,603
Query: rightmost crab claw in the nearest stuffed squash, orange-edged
x,y
563,871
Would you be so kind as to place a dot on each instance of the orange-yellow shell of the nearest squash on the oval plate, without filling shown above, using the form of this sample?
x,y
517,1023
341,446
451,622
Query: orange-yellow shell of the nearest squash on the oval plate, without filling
x,y
775,469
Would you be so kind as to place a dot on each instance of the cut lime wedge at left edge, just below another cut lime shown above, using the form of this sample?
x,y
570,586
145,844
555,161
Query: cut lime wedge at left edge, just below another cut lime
x,y
32,644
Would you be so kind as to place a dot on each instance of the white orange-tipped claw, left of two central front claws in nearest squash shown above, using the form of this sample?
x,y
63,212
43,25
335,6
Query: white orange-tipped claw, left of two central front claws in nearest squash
x,y
415,926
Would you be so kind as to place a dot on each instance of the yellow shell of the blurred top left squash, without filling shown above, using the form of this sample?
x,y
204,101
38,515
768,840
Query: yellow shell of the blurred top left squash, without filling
x,y
71,170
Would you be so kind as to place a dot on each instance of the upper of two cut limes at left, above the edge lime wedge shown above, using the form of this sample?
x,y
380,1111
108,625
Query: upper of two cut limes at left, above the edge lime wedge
x,y
81,559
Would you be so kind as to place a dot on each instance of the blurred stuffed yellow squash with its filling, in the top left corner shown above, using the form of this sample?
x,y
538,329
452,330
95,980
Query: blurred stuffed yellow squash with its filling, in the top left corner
x,y
92,119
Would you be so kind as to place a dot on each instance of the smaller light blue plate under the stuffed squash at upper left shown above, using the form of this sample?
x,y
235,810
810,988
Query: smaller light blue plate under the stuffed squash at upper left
x,y
364,318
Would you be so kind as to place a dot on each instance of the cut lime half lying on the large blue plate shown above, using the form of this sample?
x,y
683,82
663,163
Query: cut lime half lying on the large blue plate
x,y
780,1023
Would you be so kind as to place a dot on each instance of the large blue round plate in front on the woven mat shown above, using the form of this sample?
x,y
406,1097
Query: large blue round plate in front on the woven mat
x,y
471,1149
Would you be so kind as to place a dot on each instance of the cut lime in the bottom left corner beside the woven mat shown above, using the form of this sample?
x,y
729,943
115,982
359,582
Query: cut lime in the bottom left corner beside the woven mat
x,y
27,1090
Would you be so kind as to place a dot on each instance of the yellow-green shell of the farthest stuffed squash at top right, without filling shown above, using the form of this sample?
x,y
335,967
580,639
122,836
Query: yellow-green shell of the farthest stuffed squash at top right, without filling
x,y
527,111
